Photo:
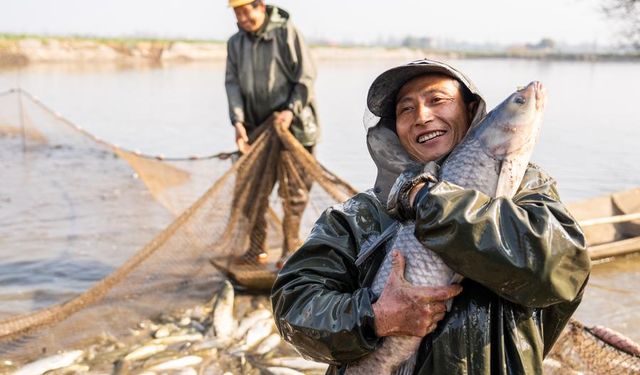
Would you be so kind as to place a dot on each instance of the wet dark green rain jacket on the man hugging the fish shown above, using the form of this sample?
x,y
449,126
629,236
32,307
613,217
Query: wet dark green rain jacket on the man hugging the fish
x,y
524,260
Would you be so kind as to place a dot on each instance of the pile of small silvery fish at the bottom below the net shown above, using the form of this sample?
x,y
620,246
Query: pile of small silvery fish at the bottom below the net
x,y
227,335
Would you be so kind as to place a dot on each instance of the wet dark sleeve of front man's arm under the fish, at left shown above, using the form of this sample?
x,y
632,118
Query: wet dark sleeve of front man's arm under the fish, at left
x,y
317,300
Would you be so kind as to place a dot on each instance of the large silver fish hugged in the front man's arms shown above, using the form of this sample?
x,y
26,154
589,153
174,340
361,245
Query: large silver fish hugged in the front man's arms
x,y
492,158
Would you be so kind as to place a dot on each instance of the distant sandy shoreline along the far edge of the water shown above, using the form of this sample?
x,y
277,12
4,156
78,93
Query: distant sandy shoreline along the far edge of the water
x,y
18,50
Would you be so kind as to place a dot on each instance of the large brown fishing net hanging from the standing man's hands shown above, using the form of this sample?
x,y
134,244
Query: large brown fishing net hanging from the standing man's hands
x,y
178,266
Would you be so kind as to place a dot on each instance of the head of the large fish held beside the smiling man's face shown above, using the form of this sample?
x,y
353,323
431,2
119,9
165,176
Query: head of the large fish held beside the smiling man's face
x,y
515,123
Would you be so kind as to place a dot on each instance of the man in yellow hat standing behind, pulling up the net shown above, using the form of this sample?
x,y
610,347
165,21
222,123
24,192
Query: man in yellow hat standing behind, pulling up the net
x,y
270,73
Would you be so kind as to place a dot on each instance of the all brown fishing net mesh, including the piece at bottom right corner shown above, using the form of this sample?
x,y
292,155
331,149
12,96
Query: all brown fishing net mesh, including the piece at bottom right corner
x,y
166,233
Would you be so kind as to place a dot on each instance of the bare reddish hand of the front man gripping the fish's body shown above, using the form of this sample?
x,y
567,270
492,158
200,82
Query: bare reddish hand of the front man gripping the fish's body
x,y
407,310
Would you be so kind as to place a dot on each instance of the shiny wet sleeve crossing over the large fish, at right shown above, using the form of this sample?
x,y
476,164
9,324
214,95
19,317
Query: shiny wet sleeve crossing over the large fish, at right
x,y
528,250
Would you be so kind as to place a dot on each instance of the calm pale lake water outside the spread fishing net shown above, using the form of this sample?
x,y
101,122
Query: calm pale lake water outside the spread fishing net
x,y
589,140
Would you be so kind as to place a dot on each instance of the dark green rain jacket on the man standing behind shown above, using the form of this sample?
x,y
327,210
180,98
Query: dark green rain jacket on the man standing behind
x,y
272,70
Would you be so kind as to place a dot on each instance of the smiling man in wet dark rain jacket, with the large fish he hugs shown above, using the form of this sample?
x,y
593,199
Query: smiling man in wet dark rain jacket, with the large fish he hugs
x,y
520,255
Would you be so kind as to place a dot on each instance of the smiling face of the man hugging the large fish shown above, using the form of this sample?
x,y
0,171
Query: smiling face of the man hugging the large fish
x,y
431,116
